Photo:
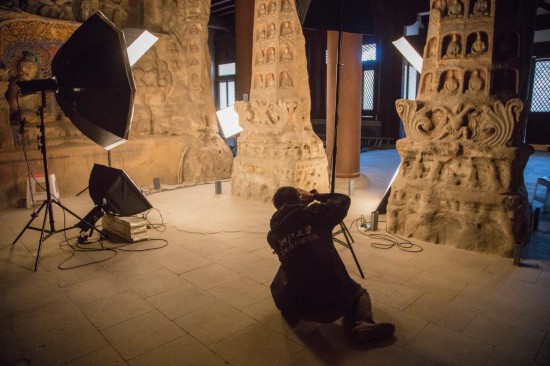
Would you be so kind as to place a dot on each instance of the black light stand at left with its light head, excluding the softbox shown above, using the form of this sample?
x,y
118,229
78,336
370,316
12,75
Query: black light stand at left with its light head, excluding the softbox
x,y
45,233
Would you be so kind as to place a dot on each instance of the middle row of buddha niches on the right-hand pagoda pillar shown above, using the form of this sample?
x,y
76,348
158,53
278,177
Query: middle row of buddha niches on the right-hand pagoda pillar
x,y
455,45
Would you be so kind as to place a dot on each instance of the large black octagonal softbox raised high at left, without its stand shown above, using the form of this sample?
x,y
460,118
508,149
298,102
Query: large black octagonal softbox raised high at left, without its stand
x,y
95,84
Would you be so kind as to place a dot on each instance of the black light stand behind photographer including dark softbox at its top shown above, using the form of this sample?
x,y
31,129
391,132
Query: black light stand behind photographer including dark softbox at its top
x,y
351,16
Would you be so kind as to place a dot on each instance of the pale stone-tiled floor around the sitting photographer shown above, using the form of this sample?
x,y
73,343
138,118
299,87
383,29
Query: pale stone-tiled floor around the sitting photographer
x,y
204,298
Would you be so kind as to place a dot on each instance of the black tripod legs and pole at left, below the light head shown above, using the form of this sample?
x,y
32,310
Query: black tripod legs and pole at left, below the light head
x,y
47,204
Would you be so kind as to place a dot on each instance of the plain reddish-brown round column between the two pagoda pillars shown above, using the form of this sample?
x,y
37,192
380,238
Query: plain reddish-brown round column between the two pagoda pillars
x,y
349,109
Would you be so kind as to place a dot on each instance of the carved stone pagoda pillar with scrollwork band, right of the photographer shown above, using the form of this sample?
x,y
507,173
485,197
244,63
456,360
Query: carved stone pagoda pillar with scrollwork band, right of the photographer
x,y
461,175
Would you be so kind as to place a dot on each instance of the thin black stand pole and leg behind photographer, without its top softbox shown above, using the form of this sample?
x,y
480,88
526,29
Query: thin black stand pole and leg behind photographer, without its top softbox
x,y
343,228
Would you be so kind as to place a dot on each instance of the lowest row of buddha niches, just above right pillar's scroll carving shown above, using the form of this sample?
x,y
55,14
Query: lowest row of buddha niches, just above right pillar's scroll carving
x,y
455,81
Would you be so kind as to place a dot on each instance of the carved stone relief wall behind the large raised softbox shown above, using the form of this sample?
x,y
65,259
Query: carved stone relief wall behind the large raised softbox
x,y
173,96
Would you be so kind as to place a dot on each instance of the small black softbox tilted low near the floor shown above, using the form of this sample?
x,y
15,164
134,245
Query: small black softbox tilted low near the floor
x,y
114,191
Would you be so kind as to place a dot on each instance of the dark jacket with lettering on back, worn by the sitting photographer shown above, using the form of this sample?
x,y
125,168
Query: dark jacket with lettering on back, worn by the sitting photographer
x,y
312,282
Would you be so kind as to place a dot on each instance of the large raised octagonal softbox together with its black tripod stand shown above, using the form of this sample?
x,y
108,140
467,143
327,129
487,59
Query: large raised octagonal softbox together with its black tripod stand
x,y
94,87
